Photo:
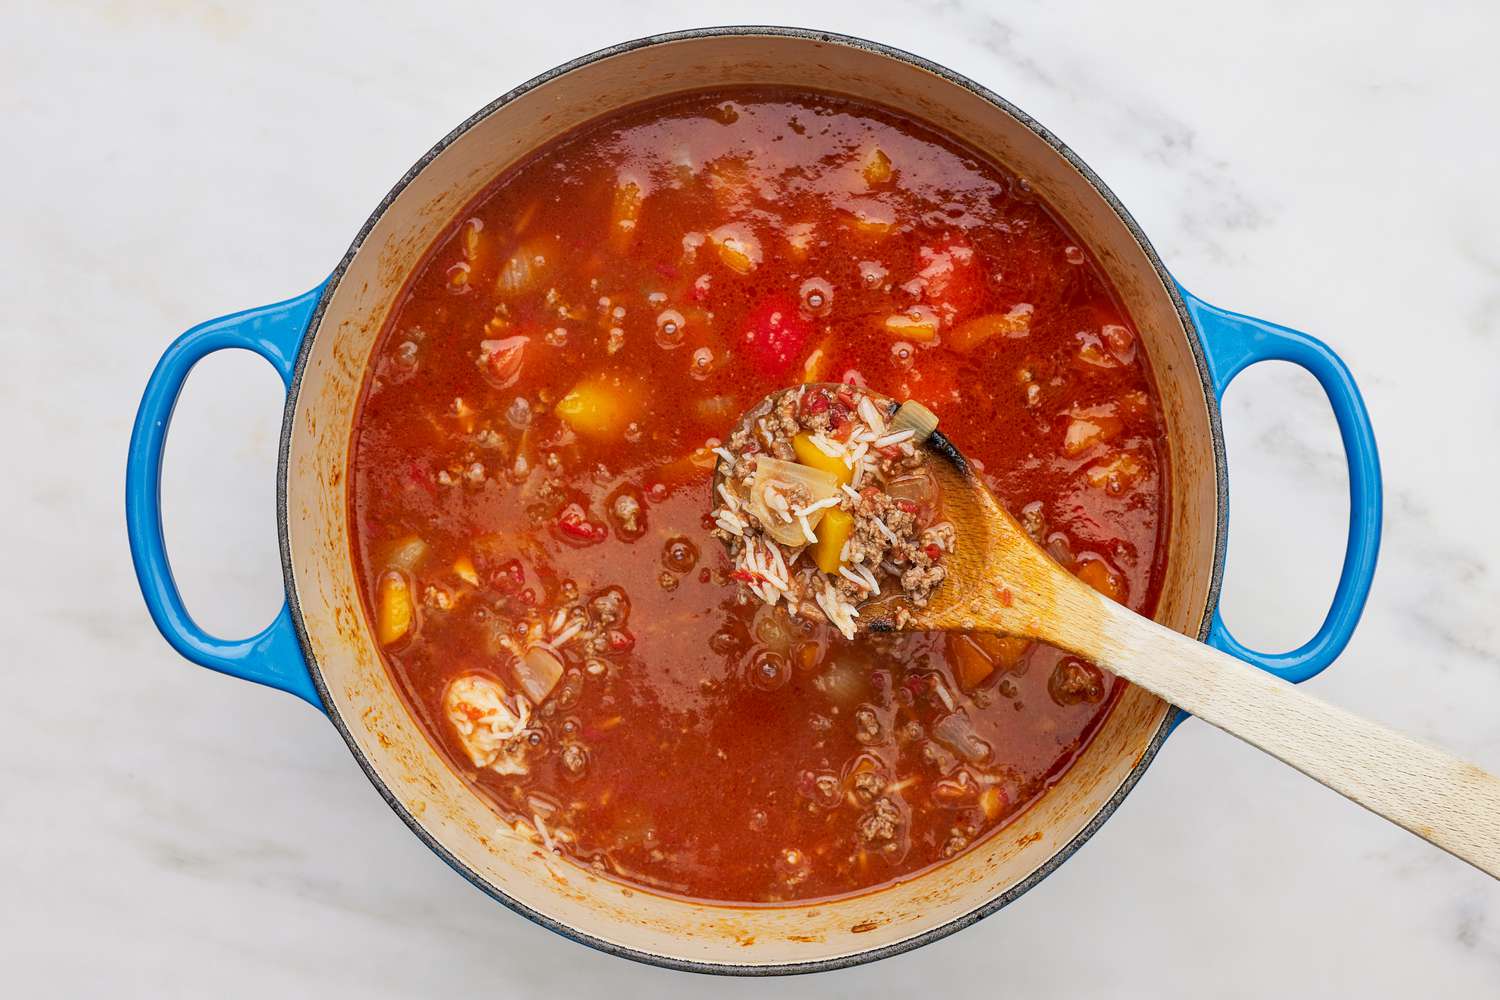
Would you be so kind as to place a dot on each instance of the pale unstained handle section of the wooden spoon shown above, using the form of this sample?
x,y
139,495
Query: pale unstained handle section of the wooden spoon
x,y
1438,797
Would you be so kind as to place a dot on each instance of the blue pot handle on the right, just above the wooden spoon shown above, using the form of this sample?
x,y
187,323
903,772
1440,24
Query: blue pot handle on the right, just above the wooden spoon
x,y
1235,343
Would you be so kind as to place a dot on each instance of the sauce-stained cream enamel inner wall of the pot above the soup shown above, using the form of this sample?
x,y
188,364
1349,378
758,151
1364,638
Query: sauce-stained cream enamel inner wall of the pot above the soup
x,y
346,656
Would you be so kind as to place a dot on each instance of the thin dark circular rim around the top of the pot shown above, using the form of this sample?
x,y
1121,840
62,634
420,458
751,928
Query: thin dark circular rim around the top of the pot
x,y
572,933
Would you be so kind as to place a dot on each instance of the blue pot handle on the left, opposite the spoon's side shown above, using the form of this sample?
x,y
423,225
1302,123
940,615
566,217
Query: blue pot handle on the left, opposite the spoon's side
x,y
274,656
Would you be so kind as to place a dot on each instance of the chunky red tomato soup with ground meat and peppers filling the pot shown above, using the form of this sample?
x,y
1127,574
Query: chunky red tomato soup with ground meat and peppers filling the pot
x,y
584,334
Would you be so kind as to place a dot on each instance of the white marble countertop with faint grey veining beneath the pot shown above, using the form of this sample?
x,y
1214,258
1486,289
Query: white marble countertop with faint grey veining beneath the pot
x,y
166,831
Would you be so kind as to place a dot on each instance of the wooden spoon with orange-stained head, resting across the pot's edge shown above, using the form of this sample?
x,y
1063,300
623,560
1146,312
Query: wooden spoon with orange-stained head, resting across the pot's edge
x,y
1000,581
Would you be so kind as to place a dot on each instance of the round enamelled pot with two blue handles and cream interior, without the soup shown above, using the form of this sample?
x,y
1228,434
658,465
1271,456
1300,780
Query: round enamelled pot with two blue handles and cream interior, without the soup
x,y
320,647
